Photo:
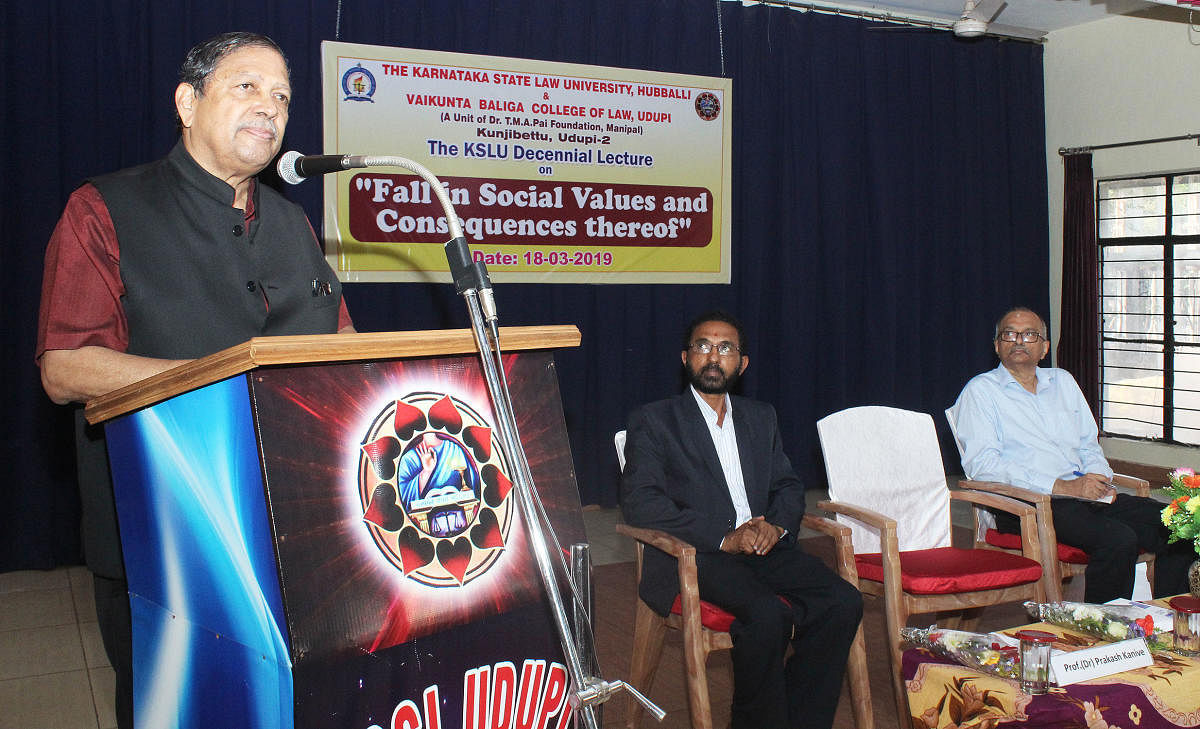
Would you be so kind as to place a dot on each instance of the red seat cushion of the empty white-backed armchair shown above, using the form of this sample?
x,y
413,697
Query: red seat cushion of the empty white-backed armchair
x,y
947,570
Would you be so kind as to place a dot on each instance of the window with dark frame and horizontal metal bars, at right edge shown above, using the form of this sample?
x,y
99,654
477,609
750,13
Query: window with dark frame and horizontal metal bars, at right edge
x,y
1149,233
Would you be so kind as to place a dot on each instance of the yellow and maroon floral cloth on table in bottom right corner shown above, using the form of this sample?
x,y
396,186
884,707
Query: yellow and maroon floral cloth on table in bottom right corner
x,y
944,695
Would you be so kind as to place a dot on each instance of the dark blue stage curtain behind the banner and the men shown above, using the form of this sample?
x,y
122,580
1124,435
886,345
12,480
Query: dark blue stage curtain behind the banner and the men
x,y
890,201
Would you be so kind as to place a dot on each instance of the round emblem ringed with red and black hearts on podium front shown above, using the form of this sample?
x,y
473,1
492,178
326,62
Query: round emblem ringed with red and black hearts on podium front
x,y
435,490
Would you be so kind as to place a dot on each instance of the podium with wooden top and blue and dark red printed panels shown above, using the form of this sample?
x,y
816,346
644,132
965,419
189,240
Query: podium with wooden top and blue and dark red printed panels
x,y
321,532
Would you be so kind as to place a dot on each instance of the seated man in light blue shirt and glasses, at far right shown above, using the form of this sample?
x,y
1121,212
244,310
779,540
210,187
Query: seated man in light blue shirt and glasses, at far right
x,y
1031,427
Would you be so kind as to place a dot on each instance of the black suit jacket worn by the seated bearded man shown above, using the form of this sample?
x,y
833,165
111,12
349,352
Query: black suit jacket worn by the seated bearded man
x,y
674,483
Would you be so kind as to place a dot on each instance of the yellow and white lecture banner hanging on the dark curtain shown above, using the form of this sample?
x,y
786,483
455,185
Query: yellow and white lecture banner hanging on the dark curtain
x,y
557,172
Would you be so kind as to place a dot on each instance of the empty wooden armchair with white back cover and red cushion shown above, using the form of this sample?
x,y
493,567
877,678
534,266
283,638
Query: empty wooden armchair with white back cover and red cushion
x,y
890,460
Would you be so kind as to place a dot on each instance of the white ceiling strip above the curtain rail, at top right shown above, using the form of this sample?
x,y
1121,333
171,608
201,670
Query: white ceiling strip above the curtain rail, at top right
x,y
1040,15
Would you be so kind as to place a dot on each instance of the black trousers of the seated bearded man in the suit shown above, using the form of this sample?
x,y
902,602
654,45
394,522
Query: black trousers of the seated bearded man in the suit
x,y
825,613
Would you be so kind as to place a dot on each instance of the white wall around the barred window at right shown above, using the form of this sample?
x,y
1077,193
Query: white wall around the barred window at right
x,y
1121,80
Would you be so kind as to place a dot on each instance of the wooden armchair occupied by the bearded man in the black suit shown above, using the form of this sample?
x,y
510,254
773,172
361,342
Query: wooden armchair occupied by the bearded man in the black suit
x,y
706,629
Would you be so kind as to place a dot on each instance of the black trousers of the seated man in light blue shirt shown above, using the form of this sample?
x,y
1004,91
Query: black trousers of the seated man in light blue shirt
x,y
1112,535
